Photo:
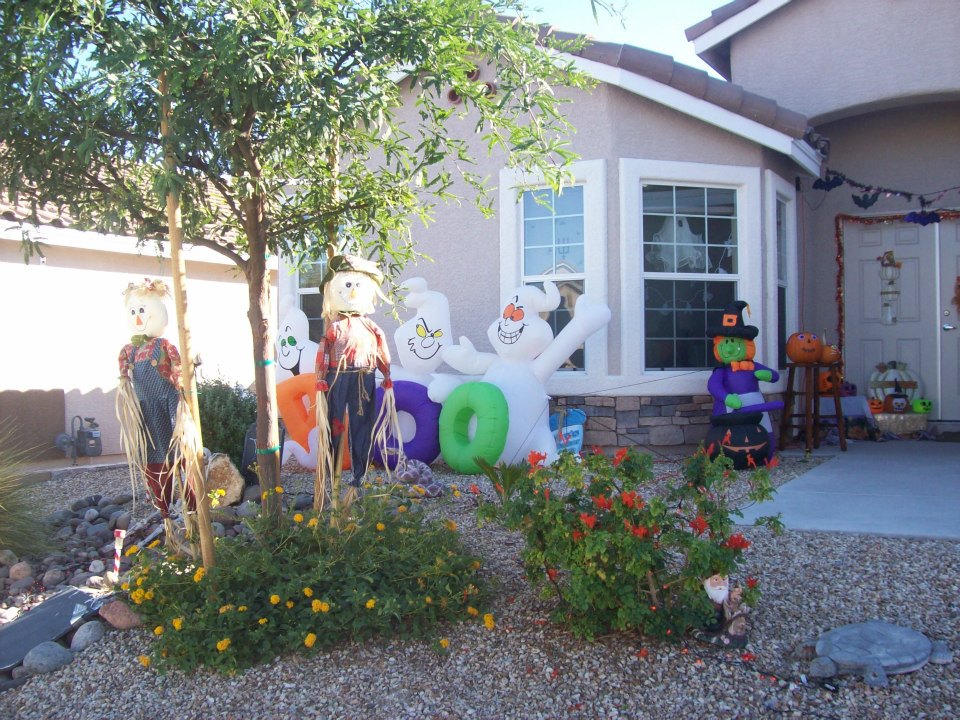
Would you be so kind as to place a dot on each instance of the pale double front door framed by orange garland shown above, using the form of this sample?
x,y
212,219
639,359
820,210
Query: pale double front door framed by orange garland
x,y
926,331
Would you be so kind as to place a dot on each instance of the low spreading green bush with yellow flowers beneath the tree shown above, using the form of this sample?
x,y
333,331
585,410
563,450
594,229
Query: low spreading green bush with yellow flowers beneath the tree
x,y
382,570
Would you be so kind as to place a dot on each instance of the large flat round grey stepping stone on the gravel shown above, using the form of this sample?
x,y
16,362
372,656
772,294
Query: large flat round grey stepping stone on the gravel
x,y
860,647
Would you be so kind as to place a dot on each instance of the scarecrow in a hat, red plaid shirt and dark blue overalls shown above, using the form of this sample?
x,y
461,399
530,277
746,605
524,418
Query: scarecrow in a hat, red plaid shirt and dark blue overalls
x,y
353,348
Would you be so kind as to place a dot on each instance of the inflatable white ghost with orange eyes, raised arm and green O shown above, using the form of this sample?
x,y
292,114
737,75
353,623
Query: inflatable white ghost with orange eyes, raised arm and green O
x,y
505,416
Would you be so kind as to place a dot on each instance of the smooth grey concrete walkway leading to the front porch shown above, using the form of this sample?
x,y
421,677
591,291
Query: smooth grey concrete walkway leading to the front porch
x,y
899,488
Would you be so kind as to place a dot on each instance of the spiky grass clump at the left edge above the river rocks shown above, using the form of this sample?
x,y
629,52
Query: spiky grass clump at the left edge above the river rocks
x,y
22,528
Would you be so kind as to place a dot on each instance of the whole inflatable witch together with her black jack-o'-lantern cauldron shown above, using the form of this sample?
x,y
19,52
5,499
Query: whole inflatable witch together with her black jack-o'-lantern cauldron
x,y
735,388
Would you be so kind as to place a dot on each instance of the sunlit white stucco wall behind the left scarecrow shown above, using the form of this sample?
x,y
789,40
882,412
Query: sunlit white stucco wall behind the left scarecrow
x,y
64,323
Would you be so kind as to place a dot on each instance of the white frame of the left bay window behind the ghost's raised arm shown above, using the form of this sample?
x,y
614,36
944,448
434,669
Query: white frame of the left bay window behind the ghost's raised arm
x,y
592,175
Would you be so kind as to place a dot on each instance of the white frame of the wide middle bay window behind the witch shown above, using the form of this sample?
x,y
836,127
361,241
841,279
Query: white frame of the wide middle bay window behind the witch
x,y
749,277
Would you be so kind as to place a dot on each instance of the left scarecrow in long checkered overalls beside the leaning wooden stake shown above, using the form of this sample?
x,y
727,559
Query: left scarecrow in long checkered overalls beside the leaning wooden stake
x,y
155,425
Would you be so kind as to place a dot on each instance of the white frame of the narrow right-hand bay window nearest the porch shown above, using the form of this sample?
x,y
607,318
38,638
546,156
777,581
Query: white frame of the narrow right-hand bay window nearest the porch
x,y
776,188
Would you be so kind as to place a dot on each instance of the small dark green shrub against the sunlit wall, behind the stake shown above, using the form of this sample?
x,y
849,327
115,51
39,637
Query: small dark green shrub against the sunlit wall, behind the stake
x,y
226,411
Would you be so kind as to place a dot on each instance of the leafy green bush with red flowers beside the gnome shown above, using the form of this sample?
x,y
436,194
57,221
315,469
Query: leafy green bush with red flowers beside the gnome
x,y
619,561
